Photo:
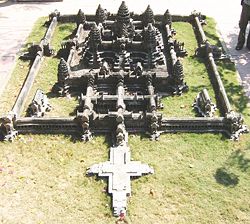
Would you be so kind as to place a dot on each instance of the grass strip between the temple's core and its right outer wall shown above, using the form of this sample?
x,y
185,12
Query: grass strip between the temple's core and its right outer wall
x,y
195,73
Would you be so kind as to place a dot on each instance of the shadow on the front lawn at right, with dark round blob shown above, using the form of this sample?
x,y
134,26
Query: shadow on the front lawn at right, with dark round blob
x,y
236,160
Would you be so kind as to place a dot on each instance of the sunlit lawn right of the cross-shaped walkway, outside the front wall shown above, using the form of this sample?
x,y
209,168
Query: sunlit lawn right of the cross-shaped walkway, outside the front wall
x,y
187,167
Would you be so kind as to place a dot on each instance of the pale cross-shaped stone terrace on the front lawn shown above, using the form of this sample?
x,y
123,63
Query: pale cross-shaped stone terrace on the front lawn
x,y
119,170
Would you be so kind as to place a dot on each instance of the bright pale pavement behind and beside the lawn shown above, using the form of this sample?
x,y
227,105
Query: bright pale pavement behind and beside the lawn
x,y
17,19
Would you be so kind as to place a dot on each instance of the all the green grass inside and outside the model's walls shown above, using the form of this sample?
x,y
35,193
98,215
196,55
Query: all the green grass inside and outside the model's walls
x,y
199,178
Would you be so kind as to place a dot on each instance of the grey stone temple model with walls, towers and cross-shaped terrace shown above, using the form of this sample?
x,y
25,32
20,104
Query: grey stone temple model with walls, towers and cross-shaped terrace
x,y
121,65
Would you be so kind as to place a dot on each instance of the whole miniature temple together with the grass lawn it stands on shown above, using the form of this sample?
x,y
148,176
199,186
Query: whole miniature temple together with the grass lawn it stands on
x,y
123,88
